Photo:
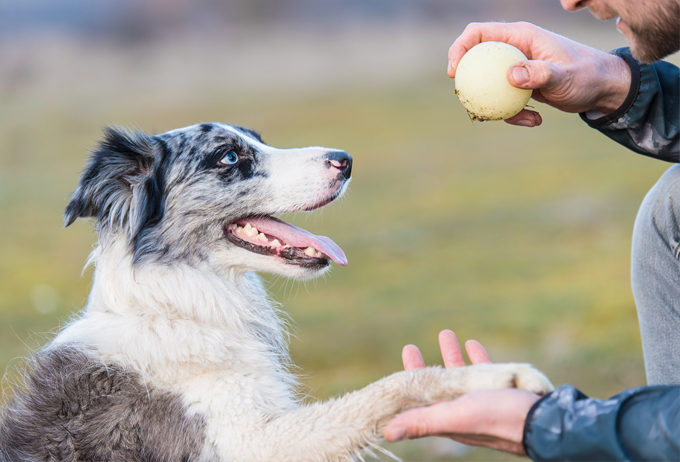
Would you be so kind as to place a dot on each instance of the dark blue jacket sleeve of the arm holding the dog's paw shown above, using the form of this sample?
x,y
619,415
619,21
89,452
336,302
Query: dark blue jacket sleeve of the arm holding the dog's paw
x,y
638,424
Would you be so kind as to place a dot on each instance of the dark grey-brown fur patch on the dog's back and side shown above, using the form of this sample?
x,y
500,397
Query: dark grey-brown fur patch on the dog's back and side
x,y
76,408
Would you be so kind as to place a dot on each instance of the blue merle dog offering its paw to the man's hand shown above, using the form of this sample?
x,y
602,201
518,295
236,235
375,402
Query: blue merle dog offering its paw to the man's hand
x,y
179,354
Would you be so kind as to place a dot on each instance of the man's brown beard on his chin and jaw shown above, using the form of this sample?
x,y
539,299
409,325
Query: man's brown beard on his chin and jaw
x,y
654,43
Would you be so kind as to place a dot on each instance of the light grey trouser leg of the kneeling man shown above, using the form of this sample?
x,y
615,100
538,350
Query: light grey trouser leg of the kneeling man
x,y
655,276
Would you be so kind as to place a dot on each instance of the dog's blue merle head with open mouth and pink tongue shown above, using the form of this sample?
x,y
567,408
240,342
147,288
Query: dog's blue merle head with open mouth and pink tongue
x,y
207,193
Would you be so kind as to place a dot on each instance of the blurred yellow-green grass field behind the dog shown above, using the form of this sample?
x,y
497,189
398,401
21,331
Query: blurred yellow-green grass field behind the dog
x,y
516,237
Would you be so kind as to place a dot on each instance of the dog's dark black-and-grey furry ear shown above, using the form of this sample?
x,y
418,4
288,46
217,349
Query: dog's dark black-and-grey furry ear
x,y
118,185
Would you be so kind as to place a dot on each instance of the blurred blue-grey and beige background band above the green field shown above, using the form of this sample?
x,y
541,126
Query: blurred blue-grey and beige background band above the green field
x,y
81,53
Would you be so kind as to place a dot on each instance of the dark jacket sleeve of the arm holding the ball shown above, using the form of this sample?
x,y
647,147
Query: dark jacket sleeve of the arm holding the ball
x,y
648,122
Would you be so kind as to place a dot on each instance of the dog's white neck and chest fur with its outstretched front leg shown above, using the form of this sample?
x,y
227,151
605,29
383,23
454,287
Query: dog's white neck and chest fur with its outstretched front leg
x,y
199,344
